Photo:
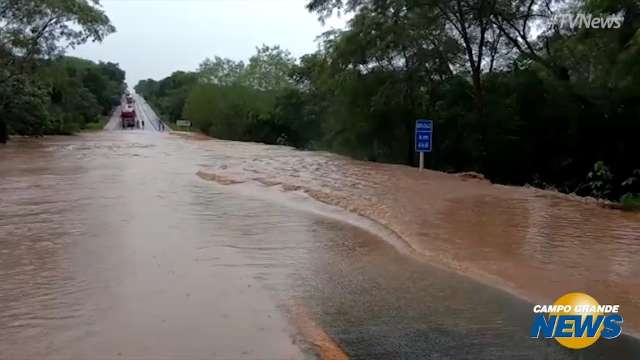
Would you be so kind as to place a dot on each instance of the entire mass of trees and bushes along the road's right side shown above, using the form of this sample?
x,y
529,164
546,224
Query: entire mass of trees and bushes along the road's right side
x,y
555,107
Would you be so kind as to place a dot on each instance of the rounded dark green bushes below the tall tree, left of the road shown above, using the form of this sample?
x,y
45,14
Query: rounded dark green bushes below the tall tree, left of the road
x,y
65,95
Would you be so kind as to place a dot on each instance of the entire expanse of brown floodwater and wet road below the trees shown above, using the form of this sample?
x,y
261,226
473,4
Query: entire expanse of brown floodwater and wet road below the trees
x,y
112,246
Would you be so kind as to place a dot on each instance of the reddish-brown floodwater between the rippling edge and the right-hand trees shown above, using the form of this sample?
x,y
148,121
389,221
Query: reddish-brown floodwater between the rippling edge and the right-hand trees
x,y
536,244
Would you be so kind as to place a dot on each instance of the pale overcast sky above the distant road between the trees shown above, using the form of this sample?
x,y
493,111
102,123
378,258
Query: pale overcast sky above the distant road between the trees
x,y
156,37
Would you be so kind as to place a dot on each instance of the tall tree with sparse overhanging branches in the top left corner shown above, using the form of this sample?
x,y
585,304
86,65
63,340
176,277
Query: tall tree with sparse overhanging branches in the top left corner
x,y
34,30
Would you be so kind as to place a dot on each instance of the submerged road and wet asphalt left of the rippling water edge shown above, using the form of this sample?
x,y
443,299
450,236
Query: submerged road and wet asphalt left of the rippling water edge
x,y
113,247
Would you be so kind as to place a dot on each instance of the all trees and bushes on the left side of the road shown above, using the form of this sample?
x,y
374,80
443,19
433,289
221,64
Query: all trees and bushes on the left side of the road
x,y
42,92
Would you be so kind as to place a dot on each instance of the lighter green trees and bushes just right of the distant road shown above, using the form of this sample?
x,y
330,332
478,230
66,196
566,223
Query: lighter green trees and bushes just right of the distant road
x,y
225,98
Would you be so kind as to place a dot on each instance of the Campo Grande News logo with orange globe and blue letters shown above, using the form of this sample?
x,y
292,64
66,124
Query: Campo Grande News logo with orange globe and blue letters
x,y
576,321
